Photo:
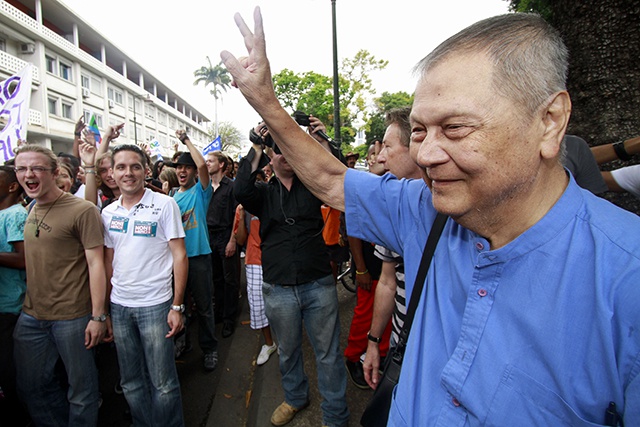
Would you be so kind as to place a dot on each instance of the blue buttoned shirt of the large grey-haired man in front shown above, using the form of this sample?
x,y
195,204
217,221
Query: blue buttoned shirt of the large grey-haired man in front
x,y
544,331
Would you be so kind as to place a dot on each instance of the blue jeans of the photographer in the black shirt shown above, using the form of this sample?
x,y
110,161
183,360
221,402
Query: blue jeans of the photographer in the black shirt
x,y
316,304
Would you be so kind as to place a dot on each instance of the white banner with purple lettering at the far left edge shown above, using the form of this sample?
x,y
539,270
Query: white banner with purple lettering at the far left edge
x,y
15,94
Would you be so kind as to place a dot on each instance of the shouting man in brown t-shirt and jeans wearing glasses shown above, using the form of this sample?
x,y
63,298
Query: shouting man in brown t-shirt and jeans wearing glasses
x,y
64,310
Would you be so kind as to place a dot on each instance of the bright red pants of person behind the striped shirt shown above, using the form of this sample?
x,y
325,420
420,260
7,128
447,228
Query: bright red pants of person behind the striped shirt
x,y
361,323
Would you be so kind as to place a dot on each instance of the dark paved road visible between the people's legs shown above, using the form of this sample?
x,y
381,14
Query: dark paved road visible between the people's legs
x,y
238,393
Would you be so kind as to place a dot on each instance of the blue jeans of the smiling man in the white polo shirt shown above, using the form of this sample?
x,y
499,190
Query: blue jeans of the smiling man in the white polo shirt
x,y
148,372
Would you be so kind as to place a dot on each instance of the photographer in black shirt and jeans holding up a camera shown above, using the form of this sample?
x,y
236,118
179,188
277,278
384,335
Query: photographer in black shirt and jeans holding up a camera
x,y
298,283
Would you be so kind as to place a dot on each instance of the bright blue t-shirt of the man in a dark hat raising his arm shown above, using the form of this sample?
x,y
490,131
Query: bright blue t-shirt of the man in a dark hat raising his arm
x,y
193,204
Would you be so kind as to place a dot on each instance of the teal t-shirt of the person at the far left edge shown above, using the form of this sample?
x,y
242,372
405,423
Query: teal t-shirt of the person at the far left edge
x,y
12,281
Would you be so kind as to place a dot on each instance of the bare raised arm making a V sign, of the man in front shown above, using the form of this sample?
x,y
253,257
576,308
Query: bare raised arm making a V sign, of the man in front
x,y
320,172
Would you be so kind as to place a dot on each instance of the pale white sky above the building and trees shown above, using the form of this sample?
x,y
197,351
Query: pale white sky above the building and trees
x,y
172,39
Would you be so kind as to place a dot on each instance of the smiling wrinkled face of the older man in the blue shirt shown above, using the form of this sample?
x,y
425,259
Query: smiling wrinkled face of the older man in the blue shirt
x,y
476,148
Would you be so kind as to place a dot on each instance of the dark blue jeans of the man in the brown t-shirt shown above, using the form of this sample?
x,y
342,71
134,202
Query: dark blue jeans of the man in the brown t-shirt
x,y
37,346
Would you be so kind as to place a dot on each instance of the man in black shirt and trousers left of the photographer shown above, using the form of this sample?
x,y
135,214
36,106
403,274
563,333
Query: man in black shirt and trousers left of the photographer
x,y
225,259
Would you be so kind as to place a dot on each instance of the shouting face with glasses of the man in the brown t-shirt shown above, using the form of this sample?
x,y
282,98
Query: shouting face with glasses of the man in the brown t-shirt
x,y
39,182
